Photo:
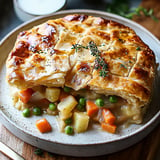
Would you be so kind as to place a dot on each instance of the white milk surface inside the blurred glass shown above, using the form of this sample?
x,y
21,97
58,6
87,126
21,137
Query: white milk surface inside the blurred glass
x,y
41,7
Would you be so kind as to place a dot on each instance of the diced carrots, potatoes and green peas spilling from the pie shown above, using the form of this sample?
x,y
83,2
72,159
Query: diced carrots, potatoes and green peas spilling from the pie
x,y
74,112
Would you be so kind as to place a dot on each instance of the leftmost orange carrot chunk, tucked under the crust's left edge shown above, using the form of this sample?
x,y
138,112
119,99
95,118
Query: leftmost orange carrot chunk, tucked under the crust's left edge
x,y
25,95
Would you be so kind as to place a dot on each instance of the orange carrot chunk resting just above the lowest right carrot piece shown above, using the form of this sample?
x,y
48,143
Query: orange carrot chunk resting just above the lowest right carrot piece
x,y
108,116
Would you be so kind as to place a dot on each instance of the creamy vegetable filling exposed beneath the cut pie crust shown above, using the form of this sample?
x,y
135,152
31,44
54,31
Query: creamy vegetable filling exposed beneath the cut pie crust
x,y
79,109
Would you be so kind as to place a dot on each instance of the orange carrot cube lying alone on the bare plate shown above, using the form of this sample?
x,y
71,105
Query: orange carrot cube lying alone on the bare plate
x,y
43,125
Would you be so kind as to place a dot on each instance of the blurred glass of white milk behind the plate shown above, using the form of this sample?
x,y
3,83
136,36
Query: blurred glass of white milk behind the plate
x,y
28,9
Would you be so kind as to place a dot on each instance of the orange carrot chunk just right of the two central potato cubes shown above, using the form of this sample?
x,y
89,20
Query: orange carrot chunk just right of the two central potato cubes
x,y
91,108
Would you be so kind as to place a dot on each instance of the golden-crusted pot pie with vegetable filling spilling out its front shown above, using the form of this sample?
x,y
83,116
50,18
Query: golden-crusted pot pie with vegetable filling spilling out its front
x,y
83,70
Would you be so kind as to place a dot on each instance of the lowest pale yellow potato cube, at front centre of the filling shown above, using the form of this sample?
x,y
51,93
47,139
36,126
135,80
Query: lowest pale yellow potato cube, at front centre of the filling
x,y
81,121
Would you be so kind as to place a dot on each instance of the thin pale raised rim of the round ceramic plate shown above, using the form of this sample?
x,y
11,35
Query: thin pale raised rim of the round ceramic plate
x,y
84,11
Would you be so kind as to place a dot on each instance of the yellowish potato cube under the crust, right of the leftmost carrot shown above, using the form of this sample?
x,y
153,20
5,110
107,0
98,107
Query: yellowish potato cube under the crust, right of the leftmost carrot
x,y
52,94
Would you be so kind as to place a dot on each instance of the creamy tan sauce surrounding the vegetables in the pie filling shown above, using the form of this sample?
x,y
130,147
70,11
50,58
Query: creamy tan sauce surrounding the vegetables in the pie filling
x,y
125,114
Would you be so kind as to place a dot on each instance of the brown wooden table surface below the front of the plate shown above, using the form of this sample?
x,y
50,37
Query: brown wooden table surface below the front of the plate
x,y
144,150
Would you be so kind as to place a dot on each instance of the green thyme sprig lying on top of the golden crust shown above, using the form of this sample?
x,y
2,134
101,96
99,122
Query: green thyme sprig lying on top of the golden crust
x,y
100,63
